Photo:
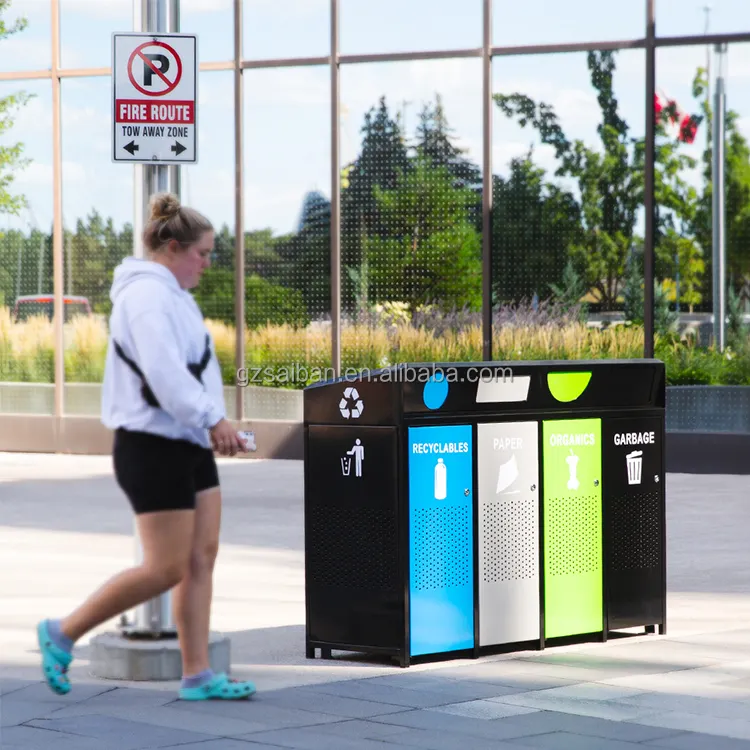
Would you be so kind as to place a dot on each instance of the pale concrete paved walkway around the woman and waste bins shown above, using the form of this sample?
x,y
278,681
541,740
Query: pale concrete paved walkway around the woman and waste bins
x,y
65,527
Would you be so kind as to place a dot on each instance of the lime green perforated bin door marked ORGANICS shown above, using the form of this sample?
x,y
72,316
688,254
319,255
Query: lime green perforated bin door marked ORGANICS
x,y
572,461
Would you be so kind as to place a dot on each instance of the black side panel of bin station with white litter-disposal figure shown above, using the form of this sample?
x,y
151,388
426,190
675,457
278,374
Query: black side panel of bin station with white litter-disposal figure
x,y
353,583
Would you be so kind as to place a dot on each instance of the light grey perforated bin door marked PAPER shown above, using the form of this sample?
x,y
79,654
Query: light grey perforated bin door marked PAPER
x,y
508,532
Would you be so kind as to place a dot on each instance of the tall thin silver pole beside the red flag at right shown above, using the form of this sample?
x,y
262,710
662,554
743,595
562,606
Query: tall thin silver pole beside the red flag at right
x,y
719,216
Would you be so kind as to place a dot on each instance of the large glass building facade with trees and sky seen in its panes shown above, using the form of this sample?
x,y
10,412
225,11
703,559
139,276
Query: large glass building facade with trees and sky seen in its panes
x,y
421,180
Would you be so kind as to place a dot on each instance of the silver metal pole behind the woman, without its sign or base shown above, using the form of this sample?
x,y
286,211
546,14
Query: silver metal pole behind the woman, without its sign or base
x,y
154,619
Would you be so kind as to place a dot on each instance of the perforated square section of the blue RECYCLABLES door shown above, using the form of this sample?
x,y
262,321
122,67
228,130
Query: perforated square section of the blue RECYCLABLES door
x,y
441,547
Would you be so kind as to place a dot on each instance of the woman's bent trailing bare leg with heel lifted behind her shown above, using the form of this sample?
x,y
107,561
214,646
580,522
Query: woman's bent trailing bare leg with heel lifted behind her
x,y
166,538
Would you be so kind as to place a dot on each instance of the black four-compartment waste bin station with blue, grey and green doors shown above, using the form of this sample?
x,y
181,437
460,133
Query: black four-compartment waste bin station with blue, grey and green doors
x,y
459,509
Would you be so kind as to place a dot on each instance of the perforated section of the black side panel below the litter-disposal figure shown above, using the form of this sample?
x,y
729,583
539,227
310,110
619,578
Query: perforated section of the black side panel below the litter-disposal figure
x,y
353,548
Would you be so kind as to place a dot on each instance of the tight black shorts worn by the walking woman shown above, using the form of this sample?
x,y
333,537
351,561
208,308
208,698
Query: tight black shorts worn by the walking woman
x,y
158,473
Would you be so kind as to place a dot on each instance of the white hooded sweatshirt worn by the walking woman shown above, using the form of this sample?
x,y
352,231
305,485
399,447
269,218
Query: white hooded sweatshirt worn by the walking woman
x,y
160,327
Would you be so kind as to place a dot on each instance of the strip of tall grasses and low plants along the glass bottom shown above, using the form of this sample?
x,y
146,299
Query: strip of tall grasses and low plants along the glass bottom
x,y
290,356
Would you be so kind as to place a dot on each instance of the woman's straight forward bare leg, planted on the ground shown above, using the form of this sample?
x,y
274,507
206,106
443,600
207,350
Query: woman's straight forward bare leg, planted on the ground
x,y
192,596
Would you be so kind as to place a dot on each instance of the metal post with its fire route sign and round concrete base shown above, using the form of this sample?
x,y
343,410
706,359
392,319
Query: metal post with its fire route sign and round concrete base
x,y
154,102
